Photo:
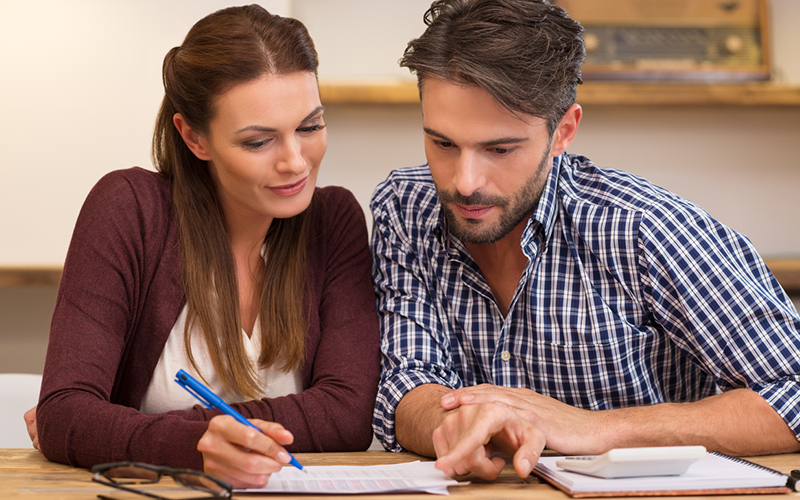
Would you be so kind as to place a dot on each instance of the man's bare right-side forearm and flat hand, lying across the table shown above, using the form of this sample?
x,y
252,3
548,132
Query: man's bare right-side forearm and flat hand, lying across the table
x,y
737,422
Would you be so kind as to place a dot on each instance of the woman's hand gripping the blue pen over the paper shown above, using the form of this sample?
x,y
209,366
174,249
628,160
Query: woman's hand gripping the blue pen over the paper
x,y
241,455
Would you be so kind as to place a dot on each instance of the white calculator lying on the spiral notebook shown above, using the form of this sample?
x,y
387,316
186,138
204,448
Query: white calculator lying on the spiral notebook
x,y
635,462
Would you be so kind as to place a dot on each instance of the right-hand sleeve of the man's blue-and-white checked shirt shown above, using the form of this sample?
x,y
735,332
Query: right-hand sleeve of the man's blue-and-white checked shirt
x,y
715,296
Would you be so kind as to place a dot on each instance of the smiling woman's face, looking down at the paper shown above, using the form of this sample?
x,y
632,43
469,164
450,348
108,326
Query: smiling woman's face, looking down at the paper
x,y
264,147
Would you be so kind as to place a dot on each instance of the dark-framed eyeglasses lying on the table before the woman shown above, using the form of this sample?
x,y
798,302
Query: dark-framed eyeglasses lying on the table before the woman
x,y
126,475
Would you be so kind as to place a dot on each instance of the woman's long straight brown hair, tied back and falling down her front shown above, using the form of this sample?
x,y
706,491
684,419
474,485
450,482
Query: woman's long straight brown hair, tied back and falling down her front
x,y
227,48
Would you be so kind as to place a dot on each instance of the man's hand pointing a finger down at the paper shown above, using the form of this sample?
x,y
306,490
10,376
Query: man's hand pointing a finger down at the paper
x,y
469,438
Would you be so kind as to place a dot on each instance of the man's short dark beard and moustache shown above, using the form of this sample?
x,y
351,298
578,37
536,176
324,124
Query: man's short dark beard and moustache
x,y
513,211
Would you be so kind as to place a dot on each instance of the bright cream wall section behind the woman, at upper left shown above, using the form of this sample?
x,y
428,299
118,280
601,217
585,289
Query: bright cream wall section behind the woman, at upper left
x,y
79,92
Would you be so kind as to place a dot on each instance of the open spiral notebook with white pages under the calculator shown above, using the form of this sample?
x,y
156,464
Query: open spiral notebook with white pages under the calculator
x,y
715,474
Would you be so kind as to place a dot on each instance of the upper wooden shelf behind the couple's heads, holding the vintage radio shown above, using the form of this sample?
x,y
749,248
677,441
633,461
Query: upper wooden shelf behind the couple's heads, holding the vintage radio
x,y
591,93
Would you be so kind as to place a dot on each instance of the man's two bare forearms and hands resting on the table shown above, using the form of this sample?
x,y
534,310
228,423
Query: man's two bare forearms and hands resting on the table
x,y
469,425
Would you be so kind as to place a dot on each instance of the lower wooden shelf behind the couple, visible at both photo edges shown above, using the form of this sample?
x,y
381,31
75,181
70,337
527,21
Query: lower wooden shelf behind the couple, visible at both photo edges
x,y
786,270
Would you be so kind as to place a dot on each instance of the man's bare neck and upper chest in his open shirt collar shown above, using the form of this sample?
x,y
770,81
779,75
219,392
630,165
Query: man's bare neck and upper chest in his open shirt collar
x,y
502,264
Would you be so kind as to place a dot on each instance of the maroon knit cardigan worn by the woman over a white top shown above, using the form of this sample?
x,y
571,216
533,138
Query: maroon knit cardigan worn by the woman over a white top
x,y
120,295
